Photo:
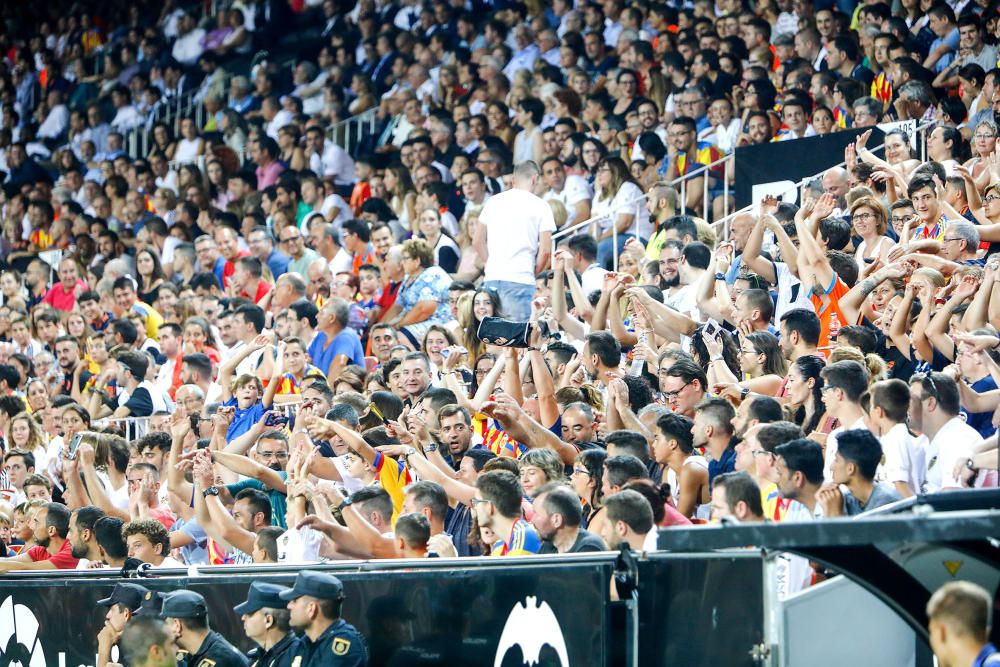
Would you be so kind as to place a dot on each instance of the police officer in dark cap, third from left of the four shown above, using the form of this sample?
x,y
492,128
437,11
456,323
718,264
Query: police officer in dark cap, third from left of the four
x,y
265,620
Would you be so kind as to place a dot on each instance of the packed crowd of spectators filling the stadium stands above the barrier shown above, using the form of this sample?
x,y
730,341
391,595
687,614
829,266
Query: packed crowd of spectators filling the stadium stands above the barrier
x,y
250,345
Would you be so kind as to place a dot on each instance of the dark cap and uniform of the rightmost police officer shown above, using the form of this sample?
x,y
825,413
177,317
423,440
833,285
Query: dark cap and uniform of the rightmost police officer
x,y
340,645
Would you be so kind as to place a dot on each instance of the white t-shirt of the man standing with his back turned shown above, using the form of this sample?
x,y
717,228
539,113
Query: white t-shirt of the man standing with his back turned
x,y
514,220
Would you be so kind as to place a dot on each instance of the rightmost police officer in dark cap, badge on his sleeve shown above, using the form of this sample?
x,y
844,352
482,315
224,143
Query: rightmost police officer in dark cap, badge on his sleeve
x,y
327,640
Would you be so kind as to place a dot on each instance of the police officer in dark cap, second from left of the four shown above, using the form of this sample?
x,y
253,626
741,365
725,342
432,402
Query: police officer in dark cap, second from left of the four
x,y
186,615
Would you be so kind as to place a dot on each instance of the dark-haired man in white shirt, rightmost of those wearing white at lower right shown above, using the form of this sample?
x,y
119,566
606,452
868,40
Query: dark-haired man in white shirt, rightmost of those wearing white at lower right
x,y
934,411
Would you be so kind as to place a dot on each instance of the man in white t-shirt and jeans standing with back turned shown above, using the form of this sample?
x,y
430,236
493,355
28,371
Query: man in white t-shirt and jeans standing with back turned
x,y
514,238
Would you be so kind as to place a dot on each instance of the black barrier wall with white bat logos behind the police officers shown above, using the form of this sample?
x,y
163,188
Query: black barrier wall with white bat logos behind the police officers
x,y
553,614
